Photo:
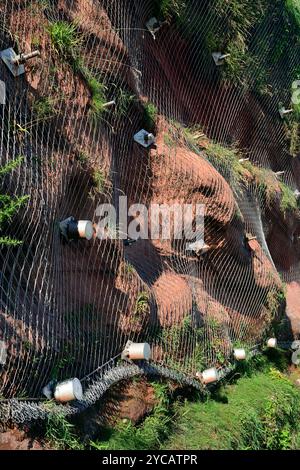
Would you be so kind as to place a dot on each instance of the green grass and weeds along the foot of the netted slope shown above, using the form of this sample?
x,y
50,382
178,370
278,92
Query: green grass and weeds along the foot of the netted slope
x,y
258,409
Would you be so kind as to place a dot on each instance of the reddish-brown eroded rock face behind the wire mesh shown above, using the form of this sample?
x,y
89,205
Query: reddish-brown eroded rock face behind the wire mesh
x,y
77,304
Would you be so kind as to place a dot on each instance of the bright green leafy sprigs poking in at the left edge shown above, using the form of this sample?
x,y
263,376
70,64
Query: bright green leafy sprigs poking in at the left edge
x,y
9,205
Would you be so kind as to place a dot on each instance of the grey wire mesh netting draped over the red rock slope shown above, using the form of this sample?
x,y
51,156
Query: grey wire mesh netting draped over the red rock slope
x,y
68,308
